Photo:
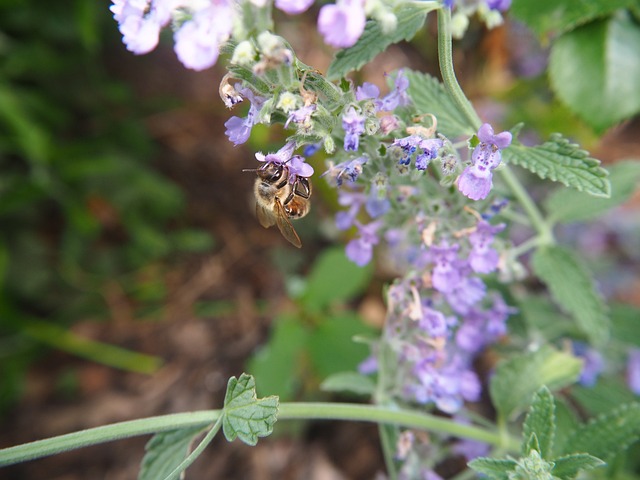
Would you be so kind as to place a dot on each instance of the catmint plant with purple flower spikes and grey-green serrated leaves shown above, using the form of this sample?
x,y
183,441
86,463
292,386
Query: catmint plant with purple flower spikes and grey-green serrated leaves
x,y
483,304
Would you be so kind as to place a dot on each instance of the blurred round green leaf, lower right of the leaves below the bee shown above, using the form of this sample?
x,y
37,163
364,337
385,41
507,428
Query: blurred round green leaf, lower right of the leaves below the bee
x,y
331,347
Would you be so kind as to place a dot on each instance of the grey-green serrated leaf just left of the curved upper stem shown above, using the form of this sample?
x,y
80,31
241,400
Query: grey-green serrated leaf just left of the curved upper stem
x,y
429,96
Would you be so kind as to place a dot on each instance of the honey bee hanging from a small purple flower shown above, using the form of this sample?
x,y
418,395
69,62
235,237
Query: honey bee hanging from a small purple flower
x,y
278,200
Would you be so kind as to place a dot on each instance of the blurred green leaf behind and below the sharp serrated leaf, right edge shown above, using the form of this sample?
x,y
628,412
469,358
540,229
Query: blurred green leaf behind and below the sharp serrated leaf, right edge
x,y
570,206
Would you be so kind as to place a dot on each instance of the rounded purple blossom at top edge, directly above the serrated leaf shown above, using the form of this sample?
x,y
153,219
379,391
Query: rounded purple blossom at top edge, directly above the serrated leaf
x,y
342,24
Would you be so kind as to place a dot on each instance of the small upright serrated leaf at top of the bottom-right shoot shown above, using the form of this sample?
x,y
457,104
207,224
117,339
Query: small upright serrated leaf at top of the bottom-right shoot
x,y
541,421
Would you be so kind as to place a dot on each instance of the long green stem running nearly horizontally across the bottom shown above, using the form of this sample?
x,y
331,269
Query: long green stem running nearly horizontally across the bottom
x,y
287,411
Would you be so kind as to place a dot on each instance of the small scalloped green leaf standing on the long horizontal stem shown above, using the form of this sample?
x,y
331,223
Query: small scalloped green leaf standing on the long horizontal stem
x,y
244,415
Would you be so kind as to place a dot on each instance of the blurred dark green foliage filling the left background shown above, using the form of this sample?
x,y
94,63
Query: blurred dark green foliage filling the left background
x,y
80,204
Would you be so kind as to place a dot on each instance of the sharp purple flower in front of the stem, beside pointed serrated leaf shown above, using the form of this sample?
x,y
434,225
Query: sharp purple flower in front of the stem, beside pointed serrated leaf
x,y
475,181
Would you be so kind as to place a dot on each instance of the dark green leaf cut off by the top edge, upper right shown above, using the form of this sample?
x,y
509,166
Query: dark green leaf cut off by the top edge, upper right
x,y
553,17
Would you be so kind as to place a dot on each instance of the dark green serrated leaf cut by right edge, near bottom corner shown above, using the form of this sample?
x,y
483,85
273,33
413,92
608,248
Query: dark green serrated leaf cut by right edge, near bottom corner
x,y
607,434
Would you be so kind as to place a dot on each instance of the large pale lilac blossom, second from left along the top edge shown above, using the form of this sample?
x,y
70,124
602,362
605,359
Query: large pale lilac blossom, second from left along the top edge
x,y
198,40
